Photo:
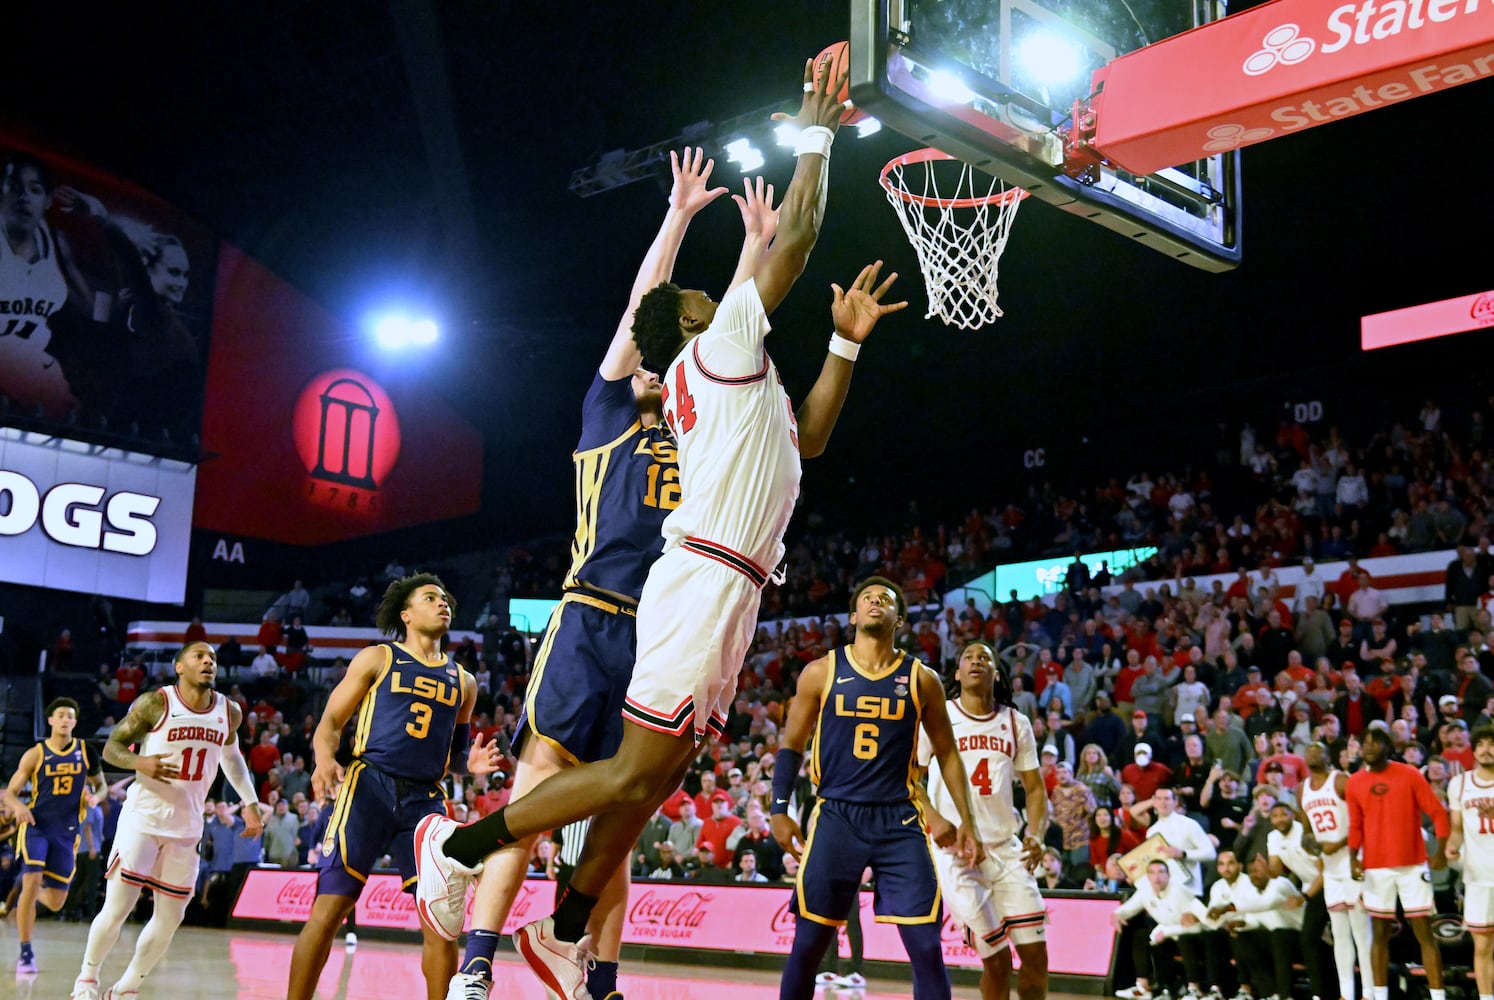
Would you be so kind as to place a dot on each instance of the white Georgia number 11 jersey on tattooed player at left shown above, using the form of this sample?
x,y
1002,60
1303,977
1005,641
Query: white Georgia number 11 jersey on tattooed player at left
x,y
193,742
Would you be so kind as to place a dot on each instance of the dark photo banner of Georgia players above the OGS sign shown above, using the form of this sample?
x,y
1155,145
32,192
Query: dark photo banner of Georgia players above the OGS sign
x,y
105,301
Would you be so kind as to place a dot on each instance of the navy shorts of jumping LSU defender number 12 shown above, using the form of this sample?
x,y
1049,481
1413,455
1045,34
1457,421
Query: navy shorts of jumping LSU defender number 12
x,y
576,693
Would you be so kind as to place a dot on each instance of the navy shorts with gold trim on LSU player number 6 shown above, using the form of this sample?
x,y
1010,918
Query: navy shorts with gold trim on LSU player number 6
x,y
845,841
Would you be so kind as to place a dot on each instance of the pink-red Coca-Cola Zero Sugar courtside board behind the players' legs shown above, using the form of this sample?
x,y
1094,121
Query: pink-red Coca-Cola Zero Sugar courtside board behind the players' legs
x,y
736,919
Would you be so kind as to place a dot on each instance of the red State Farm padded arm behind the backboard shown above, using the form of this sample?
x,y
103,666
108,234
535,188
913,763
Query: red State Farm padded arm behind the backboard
x,y
1283,68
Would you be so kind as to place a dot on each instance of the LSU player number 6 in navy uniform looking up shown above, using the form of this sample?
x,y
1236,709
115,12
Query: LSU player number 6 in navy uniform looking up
x,y
866,705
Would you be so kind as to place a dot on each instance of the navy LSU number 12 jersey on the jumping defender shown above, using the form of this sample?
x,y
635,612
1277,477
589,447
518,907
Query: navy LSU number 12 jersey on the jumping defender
x,y
627,482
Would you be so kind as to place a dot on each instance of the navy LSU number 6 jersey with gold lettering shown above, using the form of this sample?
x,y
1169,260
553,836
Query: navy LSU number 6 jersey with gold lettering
x,y
867,736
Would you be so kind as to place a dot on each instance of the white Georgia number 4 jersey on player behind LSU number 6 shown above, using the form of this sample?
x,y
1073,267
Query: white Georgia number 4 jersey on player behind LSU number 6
x,y
994,750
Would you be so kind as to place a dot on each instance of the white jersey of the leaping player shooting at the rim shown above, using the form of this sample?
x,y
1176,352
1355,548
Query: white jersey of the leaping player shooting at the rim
x,y
737,437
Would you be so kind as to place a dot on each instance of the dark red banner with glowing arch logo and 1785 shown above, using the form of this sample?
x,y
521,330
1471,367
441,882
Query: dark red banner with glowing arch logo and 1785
x,y
307,448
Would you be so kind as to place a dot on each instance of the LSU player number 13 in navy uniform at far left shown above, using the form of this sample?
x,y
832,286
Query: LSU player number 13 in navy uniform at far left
x,y
59,771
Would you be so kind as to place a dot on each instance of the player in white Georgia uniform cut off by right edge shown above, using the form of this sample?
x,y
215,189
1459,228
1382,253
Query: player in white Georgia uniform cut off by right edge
x,y
1471,806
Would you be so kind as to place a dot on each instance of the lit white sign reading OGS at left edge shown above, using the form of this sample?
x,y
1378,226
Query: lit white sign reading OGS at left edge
x,y
90,519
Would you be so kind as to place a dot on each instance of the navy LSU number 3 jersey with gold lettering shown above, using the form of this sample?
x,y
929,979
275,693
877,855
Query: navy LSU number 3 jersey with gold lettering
x,y
407,718
